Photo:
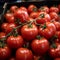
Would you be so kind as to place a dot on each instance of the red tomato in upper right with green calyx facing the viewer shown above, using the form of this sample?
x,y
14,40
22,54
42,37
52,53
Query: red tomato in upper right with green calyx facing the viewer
x,y
43,18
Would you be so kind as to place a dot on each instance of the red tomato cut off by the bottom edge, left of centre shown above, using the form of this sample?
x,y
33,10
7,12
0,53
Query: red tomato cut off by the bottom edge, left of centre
x,y
24,54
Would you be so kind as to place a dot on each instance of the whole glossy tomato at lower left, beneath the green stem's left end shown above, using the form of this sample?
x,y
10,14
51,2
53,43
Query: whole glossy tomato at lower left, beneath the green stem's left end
x,y
15,41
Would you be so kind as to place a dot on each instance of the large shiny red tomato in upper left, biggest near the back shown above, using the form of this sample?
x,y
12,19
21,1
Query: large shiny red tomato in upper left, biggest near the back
x,y
22,15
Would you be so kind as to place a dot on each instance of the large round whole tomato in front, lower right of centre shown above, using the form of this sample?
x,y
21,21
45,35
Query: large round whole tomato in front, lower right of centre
x,y
40,46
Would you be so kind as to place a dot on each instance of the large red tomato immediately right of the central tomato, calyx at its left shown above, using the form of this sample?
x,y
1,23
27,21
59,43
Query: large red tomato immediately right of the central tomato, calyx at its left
x,y
48,31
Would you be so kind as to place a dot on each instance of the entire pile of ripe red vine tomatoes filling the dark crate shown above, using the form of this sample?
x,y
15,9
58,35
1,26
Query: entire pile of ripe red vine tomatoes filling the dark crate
x,y
30,33
